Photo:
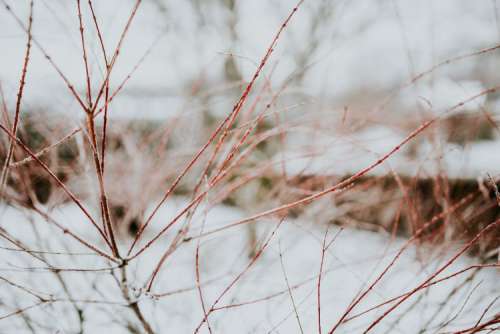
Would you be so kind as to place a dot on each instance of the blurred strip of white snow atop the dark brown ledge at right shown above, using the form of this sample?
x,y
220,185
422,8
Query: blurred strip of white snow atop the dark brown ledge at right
x,y
344,154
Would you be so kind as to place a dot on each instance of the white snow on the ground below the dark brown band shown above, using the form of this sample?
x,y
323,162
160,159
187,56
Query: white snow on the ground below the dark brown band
x,y
353,260
